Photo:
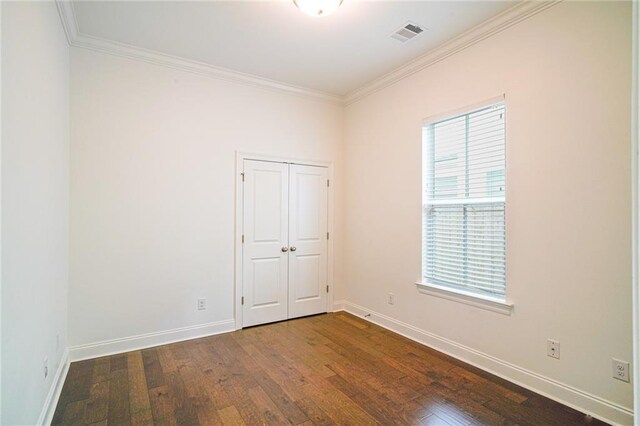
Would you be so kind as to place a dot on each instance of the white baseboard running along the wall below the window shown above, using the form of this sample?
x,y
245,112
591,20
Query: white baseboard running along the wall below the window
x,y
580,400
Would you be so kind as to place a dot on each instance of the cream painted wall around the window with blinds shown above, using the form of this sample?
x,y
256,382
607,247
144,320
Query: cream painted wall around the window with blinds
x,y
566,75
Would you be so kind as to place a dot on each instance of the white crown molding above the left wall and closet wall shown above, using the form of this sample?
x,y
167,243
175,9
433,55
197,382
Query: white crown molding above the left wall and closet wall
x,y
78,39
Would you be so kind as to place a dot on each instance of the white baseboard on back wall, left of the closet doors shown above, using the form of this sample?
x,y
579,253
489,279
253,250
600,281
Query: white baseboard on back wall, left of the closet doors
x,y
142,341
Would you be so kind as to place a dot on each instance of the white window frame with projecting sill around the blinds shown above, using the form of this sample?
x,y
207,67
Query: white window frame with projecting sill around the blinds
x,y
459,294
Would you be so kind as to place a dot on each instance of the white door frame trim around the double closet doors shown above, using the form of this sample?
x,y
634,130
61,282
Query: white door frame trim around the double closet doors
x,y
239,211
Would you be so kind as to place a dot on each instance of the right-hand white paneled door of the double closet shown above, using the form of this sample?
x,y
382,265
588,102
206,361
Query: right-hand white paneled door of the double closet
x,y
307,240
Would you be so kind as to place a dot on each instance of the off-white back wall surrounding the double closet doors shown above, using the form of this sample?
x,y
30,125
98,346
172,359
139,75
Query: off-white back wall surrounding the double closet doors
x,y
152,189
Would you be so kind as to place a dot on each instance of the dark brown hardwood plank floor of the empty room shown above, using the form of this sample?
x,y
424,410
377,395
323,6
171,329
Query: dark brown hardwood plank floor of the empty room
x,y
327,369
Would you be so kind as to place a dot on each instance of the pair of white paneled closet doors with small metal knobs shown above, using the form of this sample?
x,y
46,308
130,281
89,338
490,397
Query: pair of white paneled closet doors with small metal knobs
x,y
284,254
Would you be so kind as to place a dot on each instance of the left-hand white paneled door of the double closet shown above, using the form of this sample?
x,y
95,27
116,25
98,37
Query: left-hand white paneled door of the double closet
x,y
265,263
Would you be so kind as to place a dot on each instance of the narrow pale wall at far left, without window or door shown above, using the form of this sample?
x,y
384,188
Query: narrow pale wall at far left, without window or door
x,y
35,197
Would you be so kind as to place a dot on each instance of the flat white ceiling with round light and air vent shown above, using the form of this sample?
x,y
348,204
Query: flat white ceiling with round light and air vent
x,y
273,39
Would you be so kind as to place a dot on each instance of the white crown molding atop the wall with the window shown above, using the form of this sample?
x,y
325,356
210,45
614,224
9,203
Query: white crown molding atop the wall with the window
x,y
486,29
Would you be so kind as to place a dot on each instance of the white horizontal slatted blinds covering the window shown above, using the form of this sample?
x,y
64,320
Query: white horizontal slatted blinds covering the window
x,y
464,202
